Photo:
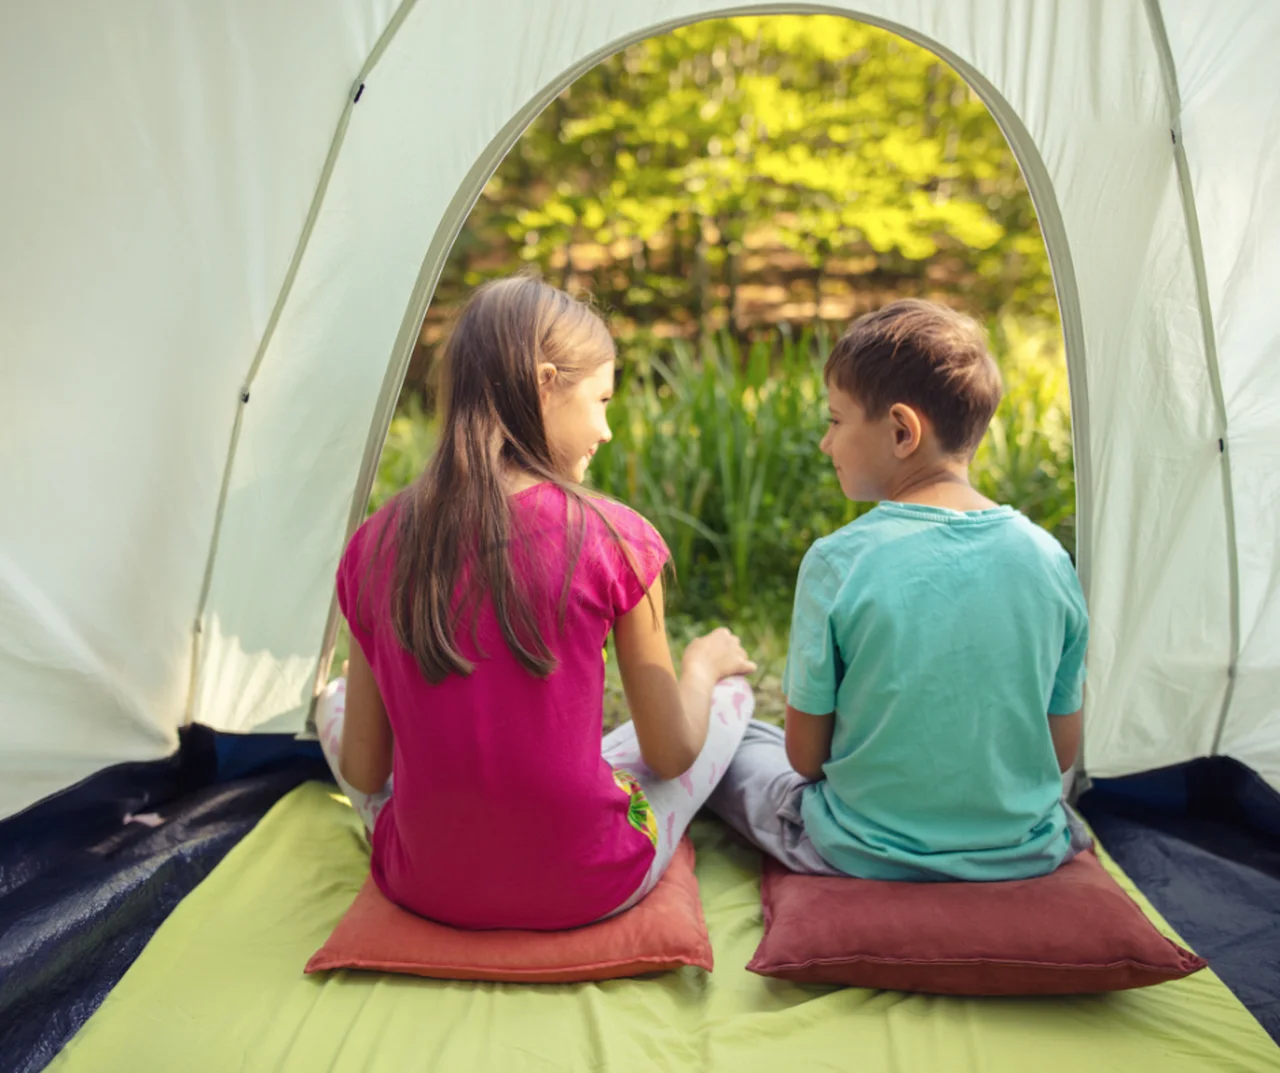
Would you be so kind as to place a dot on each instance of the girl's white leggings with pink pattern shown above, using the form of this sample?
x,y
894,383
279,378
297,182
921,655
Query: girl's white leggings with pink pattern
x,y
674,802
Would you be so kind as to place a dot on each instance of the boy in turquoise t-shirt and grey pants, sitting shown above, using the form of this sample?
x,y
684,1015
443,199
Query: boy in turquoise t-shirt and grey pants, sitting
x,y
936,669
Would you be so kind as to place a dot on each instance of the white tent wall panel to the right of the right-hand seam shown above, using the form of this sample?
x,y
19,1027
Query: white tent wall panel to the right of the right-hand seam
x,y
1226,62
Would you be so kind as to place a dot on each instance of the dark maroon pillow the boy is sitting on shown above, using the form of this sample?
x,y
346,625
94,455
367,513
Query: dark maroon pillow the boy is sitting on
x,y
1071,933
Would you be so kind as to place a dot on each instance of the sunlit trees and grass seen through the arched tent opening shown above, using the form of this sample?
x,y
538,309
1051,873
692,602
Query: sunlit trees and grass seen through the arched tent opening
x,y
732,195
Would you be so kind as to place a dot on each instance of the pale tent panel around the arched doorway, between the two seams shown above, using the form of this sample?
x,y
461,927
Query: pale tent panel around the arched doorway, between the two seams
x,y
1155,532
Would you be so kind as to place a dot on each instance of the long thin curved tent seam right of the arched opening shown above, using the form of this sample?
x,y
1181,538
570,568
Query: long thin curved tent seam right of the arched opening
x,y
1191,218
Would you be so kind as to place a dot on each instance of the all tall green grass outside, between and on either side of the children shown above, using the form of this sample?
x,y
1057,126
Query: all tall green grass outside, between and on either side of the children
x,y
719,448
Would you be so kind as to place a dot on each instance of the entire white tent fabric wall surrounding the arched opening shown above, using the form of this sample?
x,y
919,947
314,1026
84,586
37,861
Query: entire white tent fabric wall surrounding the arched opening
x,y
216,249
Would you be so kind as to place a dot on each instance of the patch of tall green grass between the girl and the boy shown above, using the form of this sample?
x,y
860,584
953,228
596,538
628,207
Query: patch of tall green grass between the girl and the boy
x,y
720,453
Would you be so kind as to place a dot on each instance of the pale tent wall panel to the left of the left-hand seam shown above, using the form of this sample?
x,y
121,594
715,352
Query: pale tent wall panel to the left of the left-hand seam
x,y
156,180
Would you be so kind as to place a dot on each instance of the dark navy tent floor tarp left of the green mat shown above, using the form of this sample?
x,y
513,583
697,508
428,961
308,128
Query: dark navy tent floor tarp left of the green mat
x,y
88,876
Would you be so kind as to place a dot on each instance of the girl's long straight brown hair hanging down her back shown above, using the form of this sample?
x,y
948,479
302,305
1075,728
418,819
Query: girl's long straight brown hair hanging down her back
x,y
452,523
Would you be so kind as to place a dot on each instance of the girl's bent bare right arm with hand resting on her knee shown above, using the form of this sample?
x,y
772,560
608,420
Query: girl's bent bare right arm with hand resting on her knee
x,y
671,715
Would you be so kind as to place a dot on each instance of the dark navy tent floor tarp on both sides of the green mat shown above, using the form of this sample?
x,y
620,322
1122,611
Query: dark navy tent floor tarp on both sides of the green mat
x,y
86,878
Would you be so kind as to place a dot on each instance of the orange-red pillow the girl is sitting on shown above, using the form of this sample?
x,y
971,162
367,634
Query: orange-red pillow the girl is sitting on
x,y
664,932
